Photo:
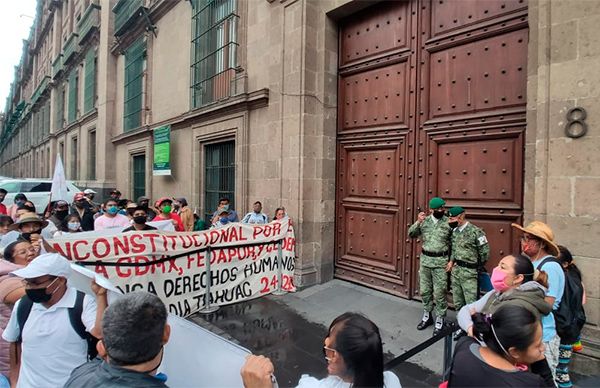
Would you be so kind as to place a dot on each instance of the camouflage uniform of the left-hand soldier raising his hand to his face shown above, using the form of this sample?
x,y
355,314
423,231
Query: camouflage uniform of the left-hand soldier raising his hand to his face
x,y
433,279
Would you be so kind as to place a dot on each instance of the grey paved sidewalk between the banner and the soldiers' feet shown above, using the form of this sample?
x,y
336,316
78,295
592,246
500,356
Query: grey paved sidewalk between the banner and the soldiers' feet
x,y
290,330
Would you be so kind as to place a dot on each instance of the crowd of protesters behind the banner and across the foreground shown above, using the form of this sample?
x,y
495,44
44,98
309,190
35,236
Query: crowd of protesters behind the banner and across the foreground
x,y
55,335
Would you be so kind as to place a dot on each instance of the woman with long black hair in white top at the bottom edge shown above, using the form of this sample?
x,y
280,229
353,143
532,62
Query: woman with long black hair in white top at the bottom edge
x,y
354,355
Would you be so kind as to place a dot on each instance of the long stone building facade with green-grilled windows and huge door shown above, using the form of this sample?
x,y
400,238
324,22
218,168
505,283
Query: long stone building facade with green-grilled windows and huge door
x,y
252,94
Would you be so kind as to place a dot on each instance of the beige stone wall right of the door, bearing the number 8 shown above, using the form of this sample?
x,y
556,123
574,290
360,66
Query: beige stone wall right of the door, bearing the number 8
x,y
562,177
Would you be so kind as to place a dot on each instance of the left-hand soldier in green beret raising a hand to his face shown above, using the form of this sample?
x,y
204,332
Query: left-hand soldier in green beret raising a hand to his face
x,y
435,234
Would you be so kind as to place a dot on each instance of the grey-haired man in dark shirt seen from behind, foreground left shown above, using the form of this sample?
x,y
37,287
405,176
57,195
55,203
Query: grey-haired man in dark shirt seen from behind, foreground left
x,y
135,331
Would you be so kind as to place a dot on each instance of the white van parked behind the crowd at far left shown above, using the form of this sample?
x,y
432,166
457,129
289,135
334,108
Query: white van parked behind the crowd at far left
x,y
36,190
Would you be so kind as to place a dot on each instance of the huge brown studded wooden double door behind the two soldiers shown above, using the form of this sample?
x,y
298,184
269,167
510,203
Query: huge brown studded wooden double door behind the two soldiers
x,y
431,102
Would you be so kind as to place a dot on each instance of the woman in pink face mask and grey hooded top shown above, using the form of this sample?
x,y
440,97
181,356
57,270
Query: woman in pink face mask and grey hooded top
x,y
515,281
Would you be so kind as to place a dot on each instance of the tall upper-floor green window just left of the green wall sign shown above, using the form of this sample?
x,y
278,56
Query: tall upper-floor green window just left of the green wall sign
x,y
135,62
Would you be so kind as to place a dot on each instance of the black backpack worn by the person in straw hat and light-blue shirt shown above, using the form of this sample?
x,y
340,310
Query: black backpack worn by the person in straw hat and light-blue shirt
x,y
569,316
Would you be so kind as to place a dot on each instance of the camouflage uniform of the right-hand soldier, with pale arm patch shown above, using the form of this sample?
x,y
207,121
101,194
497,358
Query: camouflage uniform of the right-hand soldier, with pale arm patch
x,y
467,246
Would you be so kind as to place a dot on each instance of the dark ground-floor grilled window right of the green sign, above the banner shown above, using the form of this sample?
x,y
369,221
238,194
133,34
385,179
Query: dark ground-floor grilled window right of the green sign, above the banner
x,y
219,175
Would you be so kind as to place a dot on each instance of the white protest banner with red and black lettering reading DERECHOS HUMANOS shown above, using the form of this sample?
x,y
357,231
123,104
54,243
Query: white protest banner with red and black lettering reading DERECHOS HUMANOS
x,y
243,262
